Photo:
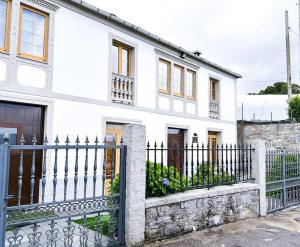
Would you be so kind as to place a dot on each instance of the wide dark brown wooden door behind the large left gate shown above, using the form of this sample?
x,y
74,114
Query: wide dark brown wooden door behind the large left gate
x,y
18,119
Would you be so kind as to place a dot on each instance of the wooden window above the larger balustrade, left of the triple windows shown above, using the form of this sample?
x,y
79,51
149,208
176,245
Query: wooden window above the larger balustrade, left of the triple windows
x,y
121,59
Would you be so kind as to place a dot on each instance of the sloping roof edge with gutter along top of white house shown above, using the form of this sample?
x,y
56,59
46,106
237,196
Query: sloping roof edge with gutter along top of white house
x,y
149,35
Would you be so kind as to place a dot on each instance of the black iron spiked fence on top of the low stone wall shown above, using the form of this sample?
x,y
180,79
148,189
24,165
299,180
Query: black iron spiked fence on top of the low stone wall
x,y
176,169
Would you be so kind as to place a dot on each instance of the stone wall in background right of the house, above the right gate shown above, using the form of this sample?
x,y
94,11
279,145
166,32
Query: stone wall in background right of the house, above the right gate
x,y
276,135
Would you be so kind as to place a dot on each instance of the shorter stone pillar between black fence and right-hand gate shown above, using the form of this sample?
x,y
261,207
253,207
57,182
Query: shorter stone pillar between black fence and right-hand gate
x,y
259,172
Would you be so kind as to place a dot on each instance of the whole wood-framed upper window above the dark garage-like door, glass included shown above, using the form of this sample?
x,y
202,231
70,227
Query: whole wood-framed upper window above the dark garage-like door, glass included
x,y
33,34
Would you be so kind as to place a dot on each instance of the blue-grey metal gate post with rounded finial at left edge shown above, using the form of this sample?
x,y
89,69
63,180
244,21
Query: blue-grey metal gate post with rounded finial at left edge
x,y
4,166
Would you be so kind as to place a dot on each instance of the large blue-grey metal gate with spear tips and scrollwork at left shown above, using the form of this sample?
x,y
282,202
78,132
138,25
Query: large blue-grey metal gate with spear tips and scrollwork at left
x,y
81,196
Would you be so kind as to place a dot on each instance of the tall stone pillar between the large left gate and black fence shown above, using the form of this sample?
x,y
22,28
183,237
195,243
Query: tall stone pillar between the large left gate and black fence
x,y
135,138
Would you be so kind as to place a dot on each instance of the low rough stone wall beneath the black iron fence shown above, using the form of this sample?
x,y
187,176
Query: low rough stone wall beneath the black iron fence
x,y
200,209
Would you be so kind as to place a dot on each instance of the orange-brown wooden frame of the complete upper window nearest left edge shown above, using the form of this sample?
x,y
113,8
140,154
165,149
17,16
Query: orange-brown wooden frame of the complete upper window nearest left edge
x,y
46,34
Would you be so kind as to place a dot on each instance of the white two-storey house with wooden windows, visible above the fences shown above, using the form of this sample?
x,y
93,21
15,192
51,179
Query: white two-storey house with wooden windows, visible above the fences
x,y
67,67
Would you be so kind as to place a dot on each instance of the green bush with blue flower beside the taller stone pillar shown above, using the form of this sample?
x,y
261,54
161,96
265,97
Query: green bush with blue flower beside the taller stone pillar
x,y
155,186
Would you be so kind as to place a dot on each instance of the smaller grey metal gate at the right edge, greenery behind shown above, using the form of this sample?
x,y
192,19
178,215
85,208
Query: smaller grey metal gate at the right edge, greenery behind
x,y
282,179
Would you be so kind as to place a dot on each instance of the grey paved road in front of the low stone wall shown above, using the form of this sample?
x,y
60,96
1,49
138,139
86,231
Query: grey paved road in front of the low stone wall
x,y
281,229
